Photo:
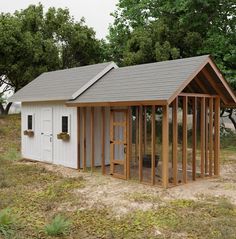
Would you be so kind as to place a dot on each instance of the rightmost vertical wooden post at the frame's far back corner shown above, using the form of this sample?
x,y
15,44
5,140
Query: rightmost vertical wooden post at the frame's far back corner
x,y
217,137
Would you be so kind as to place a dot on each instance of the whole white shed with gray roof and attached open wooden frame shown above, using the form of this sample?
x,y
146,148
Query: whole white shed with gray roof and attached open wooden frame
x,y
158,123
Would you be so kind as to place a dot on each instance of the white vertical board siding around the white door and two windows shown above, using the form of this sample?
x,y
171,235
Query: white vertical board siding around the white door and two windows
x,y
64,153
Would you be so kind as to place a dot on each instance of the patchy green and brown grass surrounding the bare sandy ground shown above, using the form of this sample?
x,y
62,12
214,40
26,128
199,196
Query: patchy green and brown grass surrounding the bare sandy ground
x,y
37,203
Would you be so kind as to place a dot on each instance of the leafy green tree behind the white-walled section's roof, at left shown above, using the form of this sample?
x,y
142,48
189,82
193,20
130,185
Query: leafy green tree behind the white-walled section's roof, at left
x,y
32,42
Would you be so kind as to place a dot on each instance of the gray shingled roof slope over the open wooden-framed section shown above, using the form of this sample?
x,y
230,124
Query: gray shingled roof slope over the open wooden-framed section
x,y
155,81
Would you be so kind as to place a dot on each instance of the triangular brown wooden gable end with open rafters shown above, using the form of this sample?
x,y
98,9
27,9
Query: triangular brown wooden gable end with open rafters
x,y
207,79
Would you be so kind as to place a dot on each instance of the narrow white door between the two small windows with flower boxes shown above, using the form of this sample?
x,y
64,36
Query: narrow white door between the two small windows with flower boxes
x,y
46,135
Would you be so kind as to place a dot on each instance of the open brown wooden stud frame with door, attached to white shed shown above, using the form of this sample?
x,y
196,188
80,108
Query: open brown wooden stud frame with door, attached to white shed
x,y
179,139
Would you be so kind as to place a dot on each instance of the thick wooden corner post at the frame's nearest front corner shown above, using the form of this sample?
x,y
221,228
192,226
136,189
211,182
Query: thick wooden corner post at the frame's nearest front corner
x,y
165,146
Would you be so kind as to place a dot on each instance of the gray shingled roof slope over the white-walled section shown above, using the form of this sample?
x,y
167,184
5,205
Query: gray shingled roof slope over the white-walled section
x,y
58,85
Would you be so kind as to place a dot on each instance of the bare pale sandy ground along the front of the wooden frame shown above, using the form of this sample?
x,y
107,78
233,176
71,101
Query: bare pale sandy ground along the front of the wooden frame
x,y
119,195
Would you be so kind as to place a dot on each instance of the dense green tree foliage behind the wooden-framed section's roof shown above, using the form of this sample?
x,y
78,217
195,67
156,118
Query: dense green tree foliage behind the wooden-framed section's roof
x,y
148,31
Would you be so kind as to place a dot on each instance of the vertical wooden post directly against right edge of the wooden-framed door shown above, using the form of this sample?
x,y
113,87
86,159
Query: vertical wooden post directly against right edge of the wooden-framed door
x,y
129,137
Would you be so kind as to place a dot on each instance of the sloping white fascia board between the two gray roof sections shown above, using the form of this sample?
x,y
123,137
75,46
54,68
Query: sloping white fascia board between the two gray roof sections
x,y
94,79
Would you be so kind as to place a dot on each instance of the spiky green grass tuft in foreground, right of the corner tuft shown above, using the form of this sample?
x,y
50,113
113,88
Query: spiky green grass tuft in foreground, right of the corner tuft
x,y
59,226
